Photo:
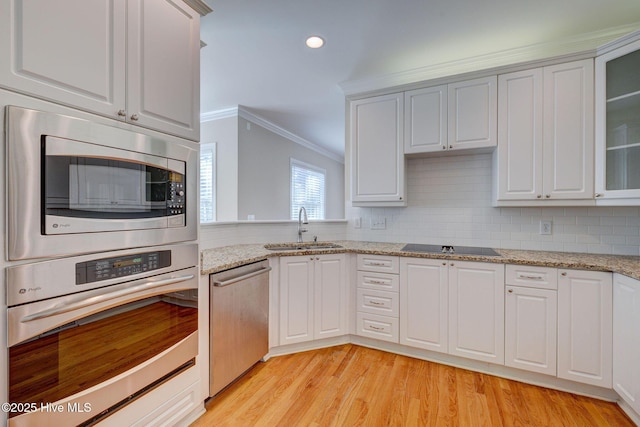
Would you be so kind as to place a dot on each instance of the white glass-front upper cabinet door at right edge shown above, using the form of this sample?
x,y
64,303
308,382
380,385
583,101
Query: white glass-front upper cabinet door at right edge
x,y
618,125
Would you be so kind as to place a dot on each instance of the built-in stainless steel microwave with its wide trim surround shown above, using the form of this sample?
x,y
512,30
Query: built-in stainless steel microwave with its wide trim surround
x,y
76,186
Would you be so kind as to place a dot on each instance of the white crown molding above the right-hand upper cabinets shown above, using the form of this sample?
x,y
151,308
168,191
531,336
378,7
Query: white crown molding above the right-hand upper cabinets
x,y
585,44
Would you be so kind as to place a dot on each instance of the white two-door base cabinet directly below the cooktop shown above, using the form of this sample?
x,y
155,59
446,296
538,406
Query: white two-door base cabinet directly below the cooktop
x,y
454,307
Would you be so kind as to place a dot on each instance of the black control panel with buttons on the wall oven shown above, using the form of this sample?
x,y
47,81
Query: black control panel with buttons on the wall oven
x,y
122,266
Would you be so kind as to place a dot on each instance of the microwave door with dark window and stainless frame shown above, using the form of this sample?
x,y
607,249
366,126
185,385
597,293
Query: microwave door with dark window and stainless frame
x,y
91,188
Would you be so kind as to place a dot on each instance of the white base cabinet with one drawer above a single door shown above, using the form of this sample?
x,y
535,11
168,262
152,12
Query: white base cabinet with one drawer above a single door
x,y
531,318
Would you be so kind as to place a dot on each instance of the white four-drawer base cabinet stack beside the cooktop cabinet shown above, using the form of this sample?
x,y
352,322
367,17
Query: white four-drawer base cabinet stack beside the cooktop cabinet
x,y
377,298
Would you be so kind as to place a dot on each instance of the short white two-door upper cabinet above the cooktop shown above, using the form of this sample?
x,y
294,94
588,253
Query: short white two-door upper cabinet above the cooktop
x,y
457,116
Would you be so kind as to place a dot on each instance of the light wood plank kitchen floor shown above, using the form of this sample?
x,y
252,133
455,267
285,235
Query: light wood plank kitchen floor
x,y
350,385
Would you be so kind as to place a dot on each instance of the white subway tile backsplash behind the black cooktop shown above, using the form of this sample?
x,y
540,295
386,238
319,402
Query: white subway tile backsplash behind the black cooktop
x,y
449,202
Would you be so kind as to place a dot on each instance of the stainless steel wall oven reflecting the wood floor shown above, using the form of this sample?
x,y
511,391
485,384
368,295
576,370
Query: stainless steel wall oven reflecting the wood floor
x,y
87,334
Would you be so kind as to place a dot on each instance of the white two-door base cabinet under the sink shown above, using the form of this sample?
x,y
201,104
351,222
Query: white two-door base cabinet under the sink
x,y
313,297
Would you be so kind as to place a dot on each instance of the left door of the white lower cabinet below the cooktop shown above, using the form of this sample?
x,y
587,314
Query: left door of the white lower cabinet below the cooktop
x,y
423,303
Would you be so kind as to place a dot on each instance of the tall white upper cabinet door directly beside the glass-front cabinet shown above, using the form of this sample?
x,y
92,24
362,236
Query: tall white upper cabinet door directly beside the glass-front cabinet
x,y
568,138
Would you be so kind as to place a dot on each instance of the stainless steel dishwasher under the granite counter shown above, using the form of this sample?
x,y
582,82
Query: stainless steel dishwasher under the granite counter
x,y
239,322
